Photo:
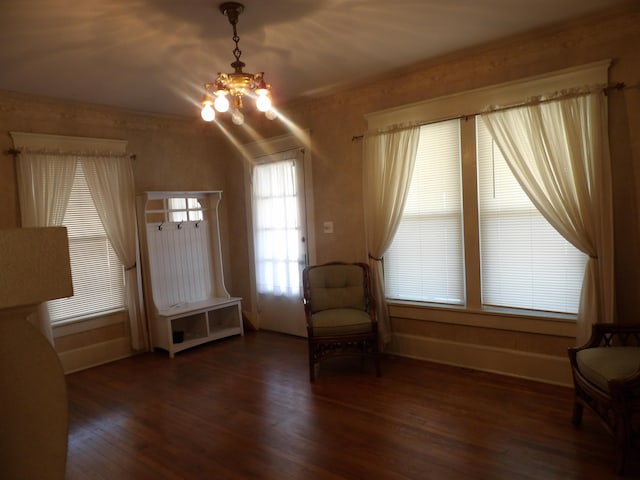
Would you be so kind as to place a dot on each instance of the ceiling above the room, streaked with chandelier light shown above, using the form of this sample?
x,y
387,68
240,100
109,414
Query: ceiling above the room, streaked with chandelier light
x,y
155,55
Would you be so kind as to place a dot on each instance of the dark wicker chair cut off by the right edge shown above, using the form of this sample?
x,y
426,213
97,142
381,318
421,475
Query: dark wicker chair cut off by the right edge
x,y
606,376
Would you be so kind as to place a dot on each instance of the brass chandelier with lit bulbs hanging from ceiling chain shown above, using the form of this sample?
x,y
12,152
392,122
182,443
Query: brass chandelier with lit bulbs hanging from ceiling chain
x,y
234,86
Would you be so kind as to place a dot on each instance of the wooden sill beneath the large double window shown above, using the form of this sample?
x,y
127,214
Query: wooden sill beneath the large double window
x,y
494,318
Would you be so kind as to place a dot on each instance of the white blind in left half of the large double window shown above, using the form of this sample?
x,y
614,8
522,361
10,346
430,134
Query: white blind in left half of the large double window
x,y
425,261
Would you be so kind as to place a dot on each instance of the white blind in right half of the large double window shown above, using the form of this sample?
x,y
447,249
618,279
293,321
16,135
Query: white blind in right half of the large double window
x,y
525,263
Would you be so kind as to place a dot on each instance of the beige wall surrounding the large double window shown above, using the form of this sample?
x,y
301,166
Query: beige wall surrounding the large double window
x,y
528,347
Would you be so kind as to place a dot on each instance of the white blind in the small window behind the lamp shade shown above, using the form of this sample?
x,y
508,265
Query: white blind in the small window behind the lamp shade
x,y
98,276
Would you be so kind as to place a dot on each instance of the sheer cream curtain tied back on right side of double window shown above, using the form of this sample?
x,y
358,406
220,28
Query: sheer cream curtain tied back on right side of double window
x,y
558,151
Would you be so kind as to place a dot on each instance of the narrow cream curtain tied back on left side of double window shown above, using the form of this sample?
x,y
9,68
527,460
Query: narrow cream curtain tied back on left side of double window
x,y
389,157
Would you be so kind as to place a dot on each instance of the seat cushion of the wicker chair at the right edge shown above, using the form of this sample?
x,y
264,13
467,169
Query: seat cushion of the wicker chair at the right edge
x,y
601,364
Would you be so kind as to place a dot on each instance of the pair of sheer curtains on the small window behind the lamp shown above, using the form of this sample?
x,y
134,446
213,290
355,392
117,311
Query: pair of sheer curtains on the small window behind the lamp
x,y
44,183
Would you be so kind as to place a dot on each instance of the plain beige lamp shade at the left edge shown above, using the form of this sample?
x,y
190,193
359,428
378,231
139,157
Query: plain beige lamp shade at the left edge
x,y
34,265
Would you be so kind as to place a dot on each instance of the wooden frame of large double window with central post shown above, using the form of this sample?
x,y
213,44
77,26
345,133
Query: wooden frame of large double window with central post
x,y
466,105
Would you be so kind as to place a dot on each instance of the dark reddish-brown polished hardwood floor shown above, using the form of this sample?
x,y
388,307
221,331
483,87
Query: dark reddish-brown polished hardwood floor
x,y
243,408
